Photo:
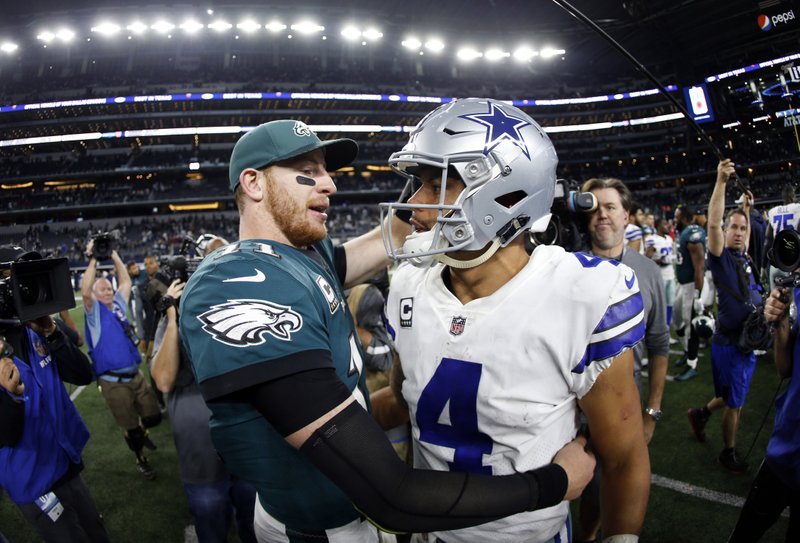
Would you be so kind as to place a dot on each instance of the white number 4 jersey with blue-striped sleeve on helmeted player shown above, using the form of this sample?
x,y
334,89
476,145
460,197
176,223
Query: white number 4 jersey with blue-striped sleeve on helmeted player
x,y
492,386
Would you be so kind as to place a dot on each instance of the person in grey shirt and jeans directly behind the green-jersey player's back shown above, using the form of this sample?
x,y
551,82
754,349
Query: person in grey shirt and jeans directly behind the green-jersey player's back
x,y
213,494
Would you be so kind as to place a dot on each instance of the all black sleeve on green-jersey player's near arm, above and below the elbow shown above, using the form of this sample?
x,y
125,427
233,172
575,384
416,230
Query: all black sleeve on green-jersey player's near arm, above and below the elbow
x,y
354,453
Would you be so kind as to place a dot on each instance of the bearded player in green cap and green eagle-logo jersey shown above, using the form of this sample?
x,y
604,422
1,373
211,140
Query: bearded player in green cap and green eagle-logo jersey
x,y
275,354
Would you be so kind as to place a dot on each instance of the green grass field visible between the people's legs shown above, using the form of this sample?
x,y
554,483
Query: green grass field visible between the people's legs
x,y
137,510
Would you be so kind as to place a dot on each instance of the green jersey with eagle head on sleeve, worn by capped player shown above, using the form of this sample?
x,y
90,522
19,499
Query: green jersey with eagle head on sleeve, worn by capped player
x,y
248,307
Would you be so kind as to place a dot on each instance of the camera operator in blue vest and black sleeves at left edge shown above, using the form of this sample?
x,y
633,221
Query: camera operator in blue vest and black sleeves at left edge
x,y
42,434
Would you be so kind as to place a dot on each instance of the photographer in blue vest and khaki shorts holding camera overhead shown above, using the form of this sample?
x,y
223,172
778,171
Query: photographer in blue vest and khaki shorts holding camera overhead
x,y
113,349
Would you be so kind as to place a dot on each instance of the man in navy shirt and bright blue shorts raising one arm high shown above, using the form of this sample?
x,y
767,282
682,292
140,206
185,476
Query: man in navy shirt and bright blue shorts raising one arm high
x,y
739,294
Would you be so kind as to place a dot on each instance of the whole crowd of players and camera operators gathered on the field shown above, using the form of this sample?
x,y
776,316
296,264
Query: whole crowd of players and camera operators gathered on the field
x,y
508,423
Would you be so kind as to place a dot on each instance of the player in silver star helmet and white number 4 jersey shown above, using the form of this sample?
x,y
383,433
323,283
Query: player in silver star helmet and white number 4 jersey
x,y
500,348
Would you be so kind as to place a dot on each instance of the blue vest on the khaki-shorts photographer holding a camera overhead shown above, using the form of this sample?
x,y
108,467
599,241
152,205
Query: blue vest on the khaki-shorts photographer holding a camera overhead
x,y
115,350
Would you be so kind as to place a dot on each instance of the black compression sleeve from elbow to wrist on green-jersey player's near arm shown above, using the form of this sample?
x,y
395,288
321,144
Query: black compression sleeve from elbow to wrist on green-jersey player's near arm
x,y
353,452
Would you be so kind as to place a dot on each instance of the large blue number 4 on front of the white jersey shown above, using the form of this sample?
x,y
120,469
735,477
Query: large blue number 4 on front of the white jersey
x,y
452,395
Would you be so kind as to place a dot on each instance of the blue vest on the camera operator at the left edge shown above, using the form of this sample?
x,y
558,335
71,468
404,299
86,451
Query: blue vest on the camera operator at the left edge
x,y
54,434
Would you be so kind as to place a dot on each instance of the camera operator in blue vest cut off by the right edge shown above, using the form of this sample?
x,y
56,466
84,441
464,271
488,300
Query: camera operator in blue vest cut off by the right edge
x,y
777,483
